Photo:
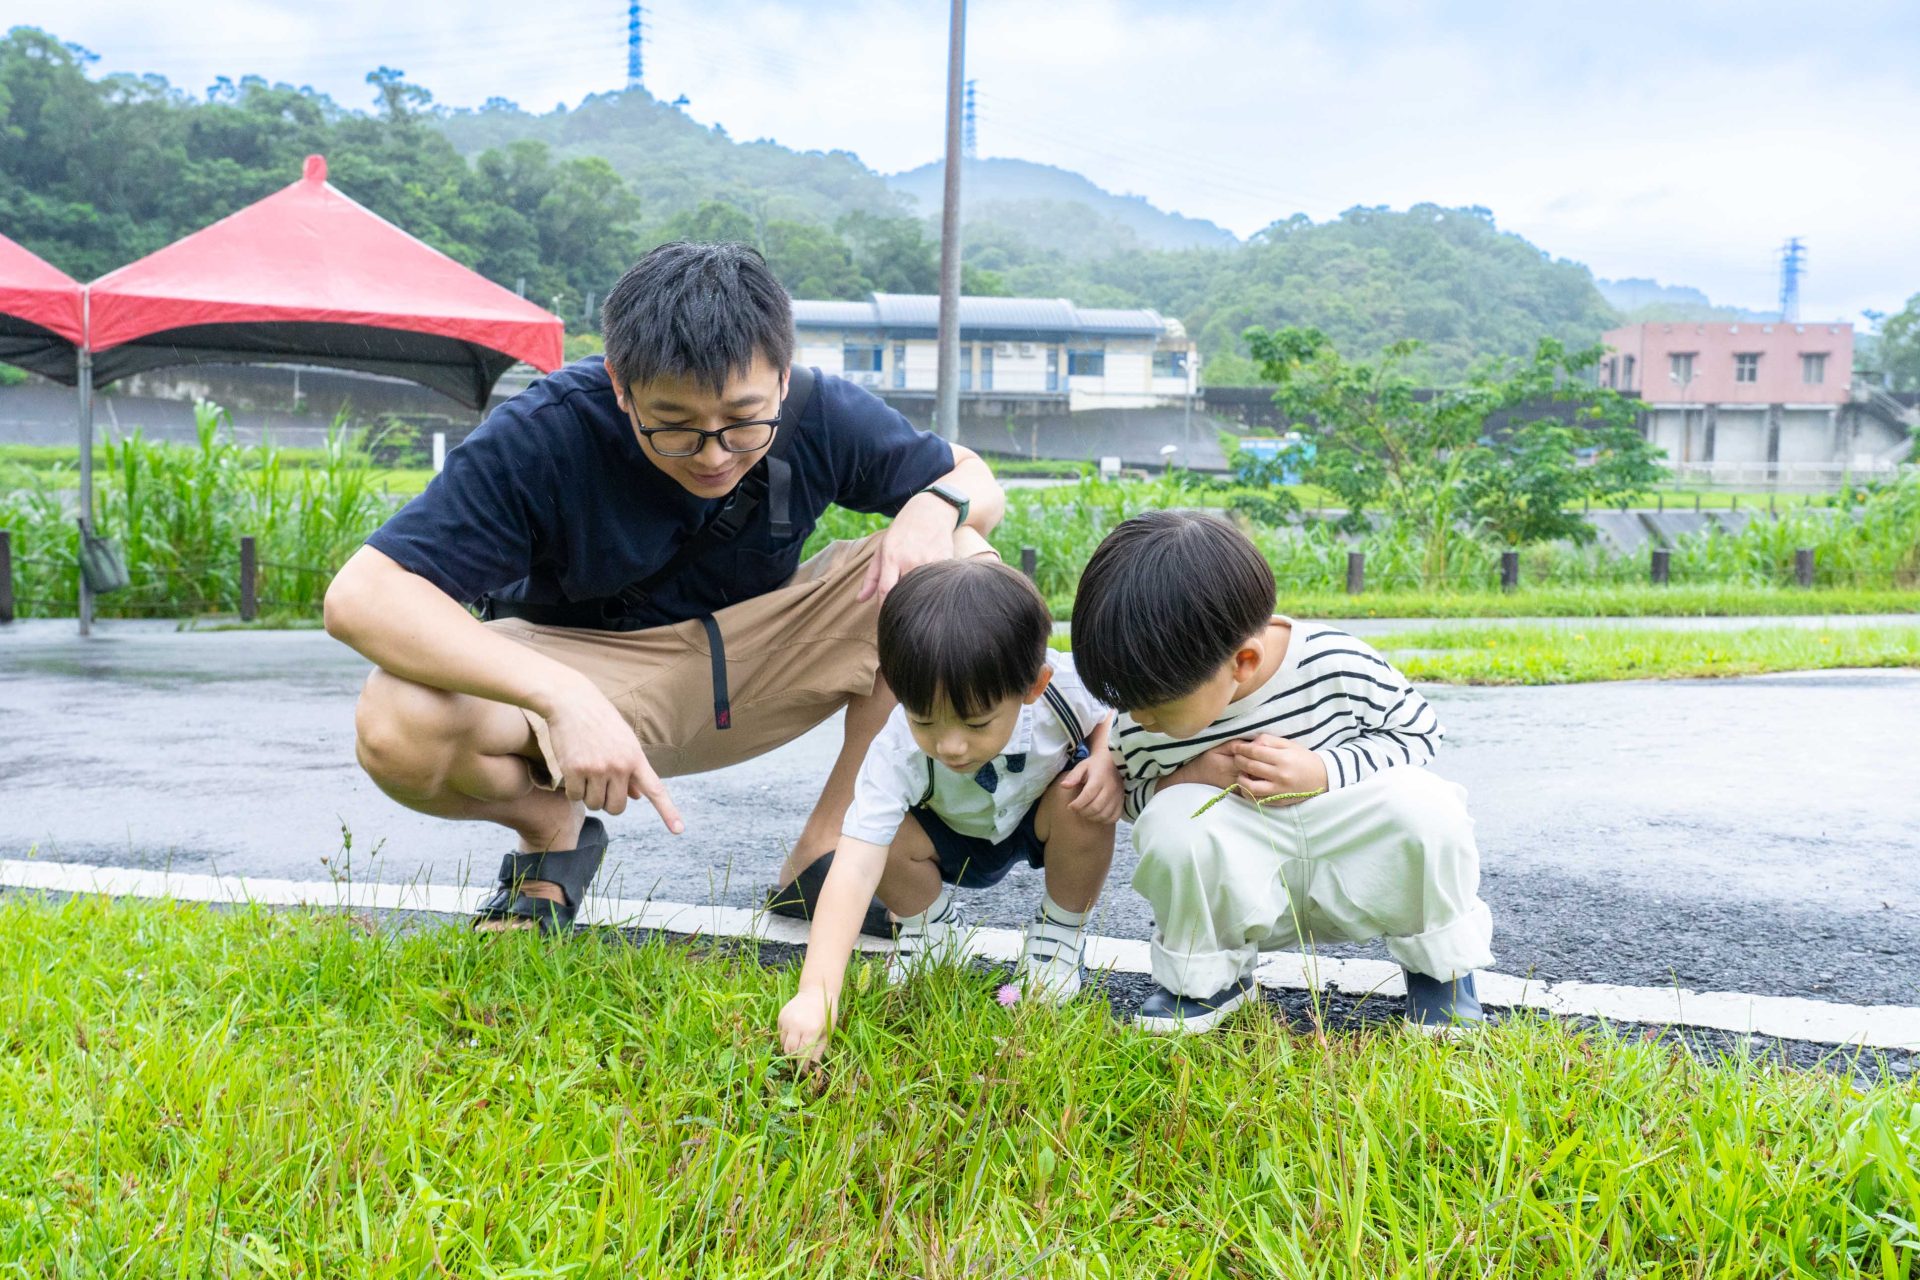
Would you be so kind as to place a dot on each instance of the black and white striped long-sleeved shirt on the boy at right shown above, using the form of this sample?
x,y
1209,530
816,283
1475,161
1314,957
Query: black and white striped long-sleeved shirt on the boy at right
x,y
1333,696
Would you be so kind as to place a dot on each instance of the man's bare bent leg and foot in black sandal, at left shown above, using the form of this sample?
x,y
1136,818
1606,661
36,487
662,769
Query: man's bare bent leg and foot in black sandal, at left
x,y
460,757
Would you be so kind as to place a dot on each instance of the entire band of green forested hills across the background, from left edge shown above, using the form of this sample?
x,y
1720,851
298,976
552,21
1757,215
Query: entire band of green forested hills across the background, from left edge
x,y
101,172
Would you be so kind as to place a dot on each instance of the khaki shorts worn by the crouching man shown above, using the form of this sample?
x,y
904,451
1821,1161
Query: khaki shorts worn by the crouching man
x,y
794,657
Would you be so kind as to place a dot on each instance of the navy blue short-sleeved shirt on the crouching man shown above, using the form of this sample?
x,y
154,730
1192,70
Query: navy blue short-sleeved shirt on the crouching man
x,y
552,500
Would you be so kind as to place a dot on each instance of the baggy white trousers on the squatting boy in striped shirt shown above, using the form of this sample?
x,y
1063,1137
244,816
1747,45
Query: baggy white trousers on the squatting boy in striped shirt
x,y
1391,857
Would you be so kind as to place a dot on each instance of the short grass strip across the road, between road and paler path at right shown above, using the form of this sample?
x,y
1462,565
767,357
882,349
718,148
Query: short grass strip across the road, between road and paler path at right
x,y
1570,655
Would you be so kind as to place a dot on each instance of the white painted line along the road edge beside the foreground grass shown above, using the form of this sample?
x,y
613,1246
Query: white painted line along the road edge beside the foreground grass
x,y
1790,1018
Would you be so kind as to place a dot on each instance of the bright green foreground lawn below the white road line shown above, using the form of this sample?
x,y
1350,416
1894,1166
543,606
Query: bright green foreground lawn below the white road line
x,y
289,1095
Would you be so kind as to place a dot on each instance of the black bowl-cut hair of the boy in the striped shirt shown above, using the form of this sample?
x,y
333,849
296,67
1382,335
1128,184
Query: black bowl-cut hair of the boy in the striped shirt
x,y
1166,600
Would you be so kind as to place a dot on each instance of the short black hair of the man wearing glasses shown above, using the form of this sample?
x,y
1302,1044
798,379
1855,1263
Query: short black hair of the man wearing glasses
x,y
696,312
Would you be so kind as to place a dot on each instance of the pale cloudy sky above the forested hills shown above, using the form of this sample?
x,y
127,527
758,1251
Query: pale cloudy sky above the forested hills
x,y
1671,139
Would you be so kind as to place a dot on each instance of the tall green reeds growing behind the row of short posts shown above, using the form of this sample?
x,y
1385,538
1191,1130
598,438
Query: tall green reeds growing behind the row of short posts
x,y
180,511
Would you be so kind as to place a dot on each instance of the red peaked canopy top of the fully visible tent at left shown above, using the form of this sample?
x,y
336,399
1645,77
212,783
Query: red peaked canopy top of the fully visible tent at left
x,y
314,277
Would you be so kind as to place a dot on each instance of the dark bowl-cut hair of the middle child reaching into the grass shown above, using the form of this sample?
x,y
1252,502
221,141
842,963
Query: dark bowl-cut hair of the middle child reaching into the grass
x,y
965,632
